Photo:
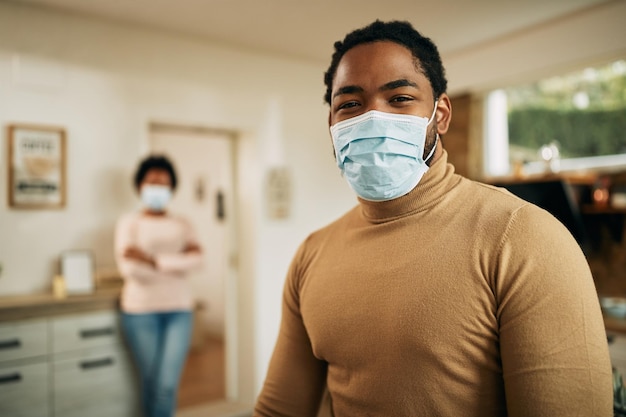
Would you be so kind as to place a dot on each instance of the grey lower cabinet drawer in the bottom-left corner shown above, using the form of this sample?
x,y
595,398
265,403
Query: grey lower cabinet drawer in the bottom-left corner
x,y
24,390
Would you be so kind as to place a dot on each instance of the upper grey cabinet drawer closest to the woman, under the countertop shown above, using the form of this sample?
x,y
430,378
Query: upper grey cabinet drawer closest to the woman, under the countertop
x,y
85,331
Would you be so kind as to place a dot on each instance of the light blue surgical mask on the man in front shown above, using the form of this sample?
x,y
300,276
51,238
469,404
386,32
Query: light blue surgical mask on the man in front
x,y
381,155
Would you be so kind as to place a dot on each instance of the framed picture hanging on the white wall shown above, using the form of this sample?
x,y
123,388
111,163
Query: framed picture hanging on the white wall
x,y
36,166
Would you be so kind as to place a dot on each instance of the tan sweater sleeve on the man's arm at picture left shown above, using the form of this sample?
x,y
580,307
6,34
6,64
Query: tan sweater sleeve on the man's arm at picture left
x,y
296,378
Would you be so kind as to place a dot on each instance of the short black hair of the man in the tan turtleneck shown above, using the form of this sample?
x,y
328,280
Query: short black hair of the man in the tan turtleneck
x,y
423,49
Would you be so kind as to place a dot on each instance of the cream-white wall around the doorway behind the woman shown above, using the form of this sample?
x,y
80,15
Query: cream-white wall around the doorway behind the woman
x,y
104,83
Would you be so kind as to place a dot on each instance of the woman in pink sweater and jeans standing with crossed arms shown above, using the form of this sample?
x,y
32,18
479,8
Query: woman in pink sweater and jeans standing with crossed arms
x,y
154,251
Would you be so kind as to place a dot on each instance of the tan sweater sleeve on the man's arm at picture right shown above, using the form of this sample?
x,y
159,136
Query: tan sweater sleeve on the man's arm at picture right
x,y
554,349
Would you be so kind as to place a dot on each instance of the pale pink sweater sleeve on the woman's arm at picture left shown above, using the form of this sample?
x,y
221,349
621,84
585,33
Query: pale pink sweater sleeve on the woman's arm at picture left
x,y
131,269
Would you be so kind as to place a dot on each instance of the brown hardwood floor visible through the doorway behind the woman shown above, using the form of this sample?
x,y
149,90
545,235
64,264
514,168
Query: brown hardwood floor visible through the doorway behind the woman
x,y
203,379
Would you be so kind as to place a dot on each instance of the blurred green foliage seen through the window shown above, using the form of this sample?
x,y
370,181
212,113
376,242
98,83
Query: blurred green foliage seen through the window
x,y
584,112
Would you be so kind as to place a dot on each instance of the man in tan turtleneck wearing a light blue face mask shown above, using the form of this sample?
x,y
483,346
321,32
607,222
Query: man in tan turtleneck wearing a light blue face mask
x,y
435,295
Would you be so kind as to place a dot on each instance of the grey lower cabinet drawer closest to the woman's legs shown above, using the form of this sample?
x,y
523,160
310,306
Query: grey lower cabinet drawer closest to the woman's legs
x,y
95,382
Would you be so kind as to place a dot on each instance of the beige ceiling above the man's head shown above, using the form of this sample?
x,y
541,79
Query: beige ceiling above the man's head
x,y
306,29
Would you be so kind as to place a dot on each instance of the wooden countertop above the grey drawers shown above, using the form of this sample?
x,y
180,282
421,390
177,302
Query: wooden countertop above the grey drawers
x,y
46,305
